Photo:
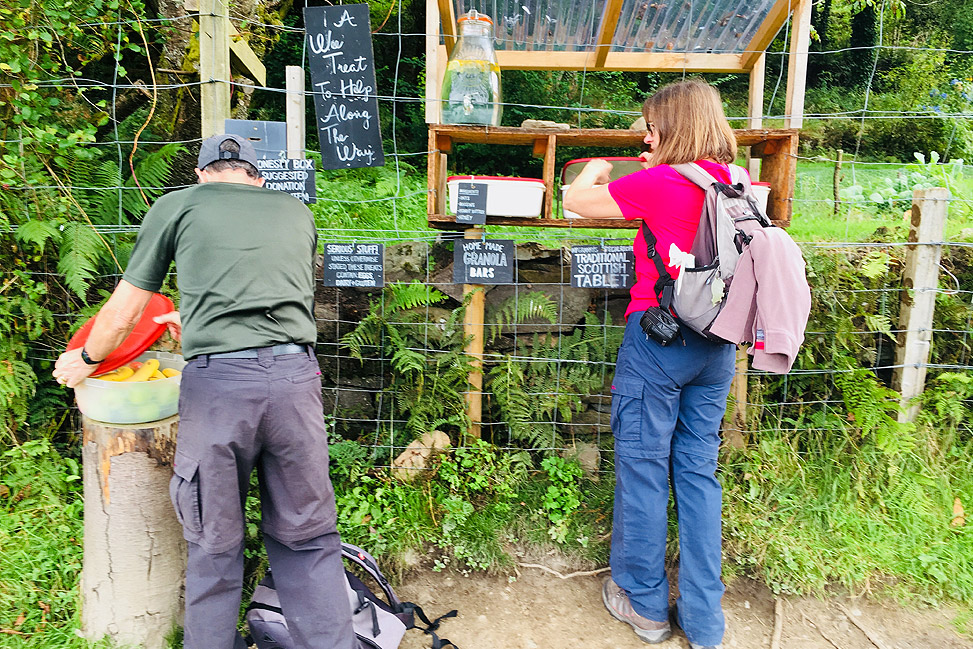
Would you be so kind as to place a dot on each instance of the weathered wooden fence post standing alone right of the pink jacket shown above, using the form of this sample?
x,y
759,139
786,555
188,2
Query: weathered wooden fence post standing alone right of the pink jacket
x,y
917,304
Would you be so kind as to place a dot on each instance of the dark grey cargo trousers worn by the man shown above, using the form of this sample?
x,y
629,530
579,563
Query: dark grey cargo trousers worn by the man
x,y
266,412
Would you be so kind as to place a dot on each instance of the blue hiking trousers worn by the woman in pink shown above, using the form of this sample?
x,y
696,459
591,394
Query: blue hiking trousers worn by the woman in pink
x,y
667,404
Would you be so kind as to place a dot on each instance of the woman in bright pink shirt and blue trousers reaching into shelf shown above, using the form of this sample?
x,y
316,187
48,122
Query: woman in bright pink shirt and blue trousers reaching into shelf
x,y
667,401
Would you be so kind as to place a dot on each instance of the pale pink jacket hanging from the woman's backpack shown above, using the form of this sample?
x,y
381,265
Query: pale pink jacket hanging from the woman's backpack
x,y
773,318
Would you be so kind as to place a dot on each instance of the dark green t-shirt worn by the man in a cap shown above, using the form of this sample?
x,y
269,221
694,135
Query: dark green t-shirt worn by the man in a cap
x,y
244,260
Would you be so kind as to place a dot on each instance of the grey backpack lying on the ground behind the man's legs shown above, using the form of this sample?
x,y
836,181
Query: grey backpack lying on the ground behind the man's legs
x,y
379,623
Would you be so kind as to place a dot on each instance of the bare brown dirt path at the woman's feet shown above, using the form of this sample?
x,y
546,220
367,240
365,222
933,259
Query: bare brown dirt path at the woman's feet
x,y
539,610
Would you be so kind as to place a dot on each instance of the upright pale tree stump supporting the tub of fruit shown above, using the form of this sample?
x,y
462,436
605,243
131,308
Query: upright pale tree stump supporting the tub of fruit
x,y
134,553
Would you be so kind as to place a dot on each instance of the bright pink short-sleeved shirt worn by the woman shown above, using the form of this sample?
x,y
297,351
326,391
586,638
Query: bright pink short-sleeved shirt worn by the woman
x,y
670,205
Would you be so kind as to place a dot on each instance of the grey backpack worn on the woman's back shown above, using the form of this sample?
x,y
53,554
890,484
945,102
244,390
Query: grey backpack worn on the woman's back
x,y
730,214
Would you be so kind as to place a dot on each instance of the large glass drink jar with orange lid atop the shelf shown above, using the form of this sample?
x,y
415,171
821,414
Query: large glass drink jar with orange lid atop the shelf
x,y
471,87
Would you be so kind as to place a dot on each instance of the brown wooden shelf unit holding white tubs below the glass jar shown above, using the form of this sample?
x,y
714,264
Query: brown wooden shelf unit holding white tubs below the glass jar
x,y
777,148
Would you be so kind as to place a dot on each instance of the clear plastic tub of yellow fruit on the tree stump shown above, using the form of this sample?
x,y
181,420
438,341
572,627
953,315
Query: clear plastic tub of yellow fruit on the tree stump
x,y
133,403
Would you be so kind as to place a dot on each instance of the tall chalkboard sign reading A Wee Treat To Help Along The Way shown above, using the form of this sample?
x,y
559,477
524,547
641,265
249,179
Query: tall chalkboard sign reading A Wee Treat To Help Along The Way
x,y
339,46
